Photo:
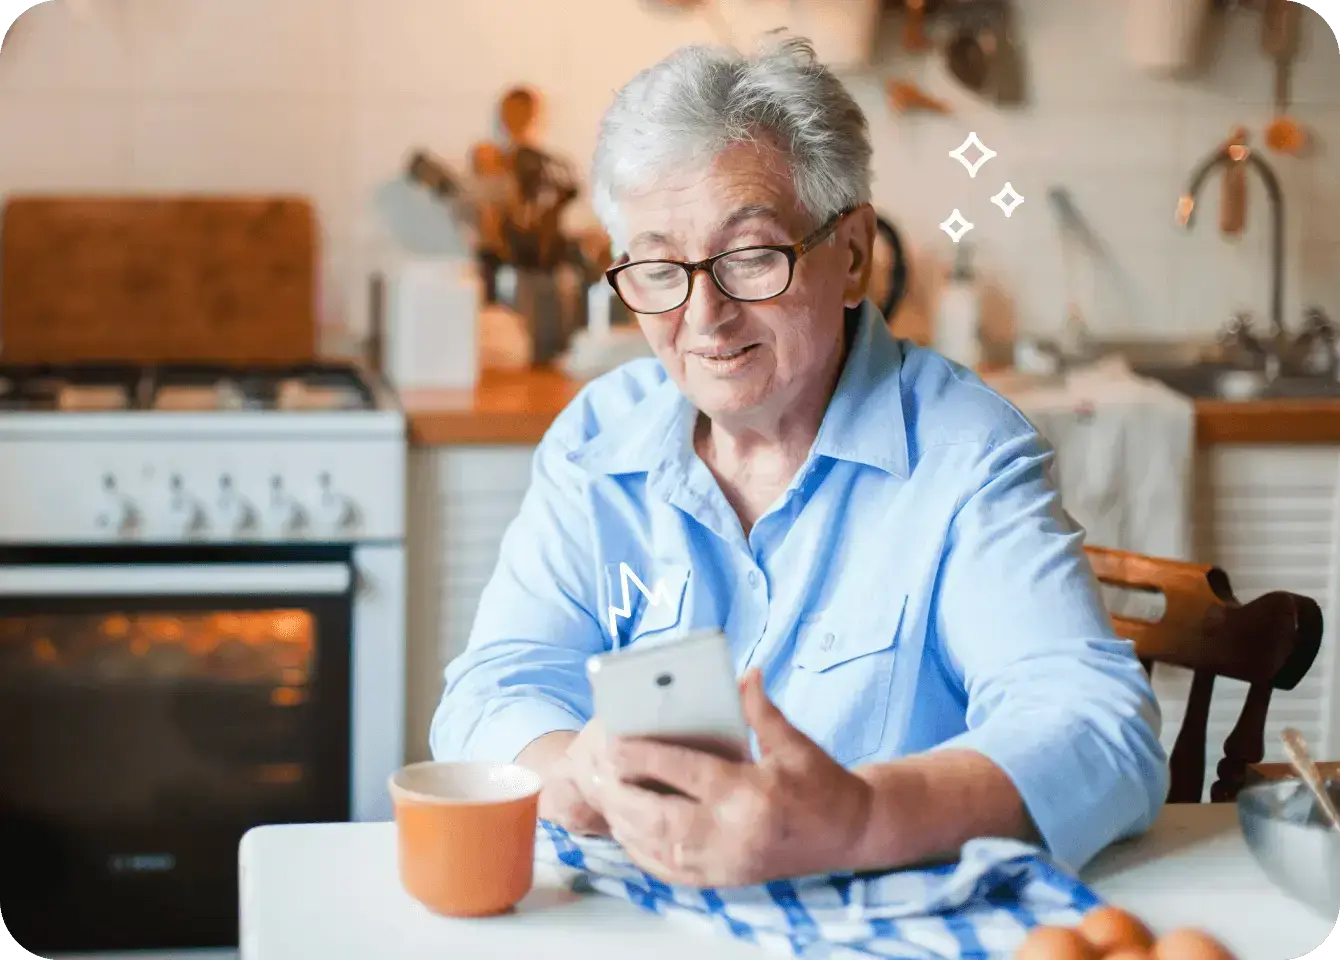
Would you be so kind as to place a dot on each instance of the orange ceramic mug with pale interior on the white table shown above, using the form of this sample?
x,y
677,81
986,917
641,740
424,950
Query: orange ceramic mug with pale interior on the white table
x,y
466,835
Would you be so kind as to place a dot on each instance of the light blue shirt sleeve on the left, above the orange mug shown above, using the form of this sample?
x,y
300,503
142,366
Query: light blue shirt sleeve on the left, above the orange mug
x,y
523,672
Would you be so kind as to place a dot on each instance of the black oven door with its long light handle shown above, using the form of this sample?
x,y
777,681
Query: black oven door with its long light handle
x,y
156,705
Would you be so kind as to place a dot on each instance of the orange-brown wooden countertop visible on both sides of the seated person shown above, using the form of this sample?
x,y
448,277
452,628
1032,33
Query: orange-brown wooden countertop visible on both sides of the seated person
x,y
518,408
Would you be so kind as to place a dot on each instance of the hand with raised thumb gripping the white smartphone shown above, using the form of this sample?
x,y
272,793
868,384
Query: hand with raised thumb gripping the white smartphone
x,y
793,813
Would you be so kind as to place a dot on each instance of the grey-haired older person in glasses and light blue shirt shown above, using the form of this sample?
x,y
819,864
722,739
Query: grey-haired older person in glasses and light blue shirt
x,y
924,652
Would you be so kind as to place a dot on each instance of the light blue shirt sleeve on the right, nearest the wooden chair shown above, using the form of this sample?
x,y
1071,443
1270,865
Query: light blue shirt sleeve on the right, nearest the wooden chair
x,y
1055,699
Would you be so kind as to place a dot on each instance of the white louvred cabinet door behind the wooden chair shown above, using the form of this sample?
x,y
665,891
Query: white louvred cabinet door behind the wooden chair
x,y
1268,517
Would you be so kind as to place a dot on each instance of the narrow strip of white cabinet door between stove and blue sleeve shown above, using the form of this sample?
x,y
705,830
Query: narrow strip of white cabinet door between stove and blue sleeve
x,y
462,501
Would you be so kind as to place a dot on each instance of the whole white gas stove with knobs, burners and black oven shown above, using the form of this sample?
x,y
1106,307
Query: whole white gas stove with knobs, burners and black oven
x,y
202,631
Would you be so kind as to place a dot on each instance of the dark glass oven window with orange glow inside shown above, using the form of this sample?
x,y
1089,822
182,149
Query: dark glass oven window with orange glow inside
x,y
159,714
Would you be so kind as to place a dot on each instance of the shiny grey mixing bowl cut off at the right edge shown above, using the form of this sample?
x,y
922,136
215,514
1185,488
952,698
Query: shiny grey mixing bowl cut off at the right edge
x,y
1294,844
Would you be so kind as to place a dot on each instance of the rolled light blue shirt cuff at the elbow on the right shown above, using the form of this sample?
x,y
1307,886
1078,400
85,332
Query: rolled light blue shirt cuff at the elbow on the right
x,y
1078,796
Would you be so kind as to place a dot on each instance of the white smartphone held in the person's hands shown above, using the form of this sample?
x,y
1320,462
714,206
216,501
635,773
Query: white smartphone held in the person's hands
x,y
680,691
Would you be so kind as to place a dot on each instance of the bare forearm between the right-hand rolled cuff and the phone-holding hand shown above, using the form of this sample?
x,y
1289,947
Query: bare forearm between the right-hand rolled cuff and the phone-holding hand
x,y
925,808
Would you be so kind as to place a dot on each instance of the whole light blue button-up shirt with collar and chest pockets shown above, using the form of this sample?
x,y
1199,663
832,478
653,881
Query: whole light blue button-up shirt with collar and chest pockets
x,y
919,587
